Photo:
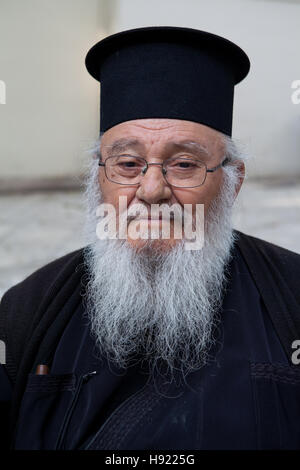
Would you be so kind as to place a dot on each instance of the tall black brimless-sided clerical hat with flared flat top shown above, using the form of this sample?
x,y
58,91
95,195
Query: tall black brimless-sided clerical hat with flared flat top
x,y
167,72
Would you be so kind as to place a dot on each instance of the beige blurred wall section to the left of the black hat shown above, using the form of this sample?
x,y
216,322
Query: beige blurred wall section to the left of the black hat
x,y
51,111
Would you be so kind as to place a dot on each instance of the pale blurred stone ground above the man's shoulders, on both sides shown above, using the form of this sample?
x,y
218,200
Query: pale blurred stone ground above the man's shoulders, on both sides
x,y
37,227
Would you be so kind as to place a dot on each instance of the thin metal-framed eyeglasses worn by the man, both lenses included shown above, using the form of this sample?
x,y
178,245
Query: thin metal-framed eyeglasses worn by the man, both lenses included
x,y
180,171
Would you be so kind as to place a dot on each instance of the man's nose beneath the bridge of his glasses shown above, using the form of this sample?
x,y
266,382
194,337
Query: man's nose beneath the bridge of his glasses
x,y
153,187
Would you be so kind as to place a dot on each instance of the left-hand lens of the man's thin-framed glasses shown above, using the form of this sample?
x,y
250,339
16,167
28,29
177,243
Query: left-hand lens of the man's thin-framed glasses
x,y
124,169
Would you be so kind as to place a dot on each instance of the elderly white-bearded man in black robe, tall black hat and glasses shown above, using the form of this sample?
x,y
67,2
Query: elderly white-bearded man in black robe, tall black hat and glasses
x,y
135,341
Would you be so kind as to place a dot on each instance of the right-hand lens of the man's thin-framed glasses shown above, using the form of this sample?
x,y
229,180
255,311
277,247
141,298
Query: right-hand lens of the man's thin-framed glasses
x,y
185,172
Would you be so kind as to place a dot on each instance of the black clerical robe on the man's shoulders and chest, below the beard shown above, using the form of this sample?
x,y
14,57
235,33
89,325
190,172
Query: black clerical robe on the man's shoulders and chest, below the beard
x,y
246,397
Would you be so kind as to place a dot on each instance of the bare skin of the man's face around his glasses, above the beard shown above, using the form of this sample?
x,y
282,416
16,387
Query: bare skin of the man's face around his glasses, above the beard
x,y
157,140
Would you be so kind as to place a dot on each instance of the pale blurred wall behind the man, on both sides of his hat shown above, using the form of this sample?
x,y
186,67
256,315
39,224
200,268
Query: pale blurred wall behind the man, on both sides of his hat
x,y
51,112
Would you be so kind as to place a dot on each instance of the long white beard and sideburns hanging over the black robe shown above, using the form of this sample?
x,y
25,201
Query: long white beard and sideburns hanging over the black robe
x,y
159,306
